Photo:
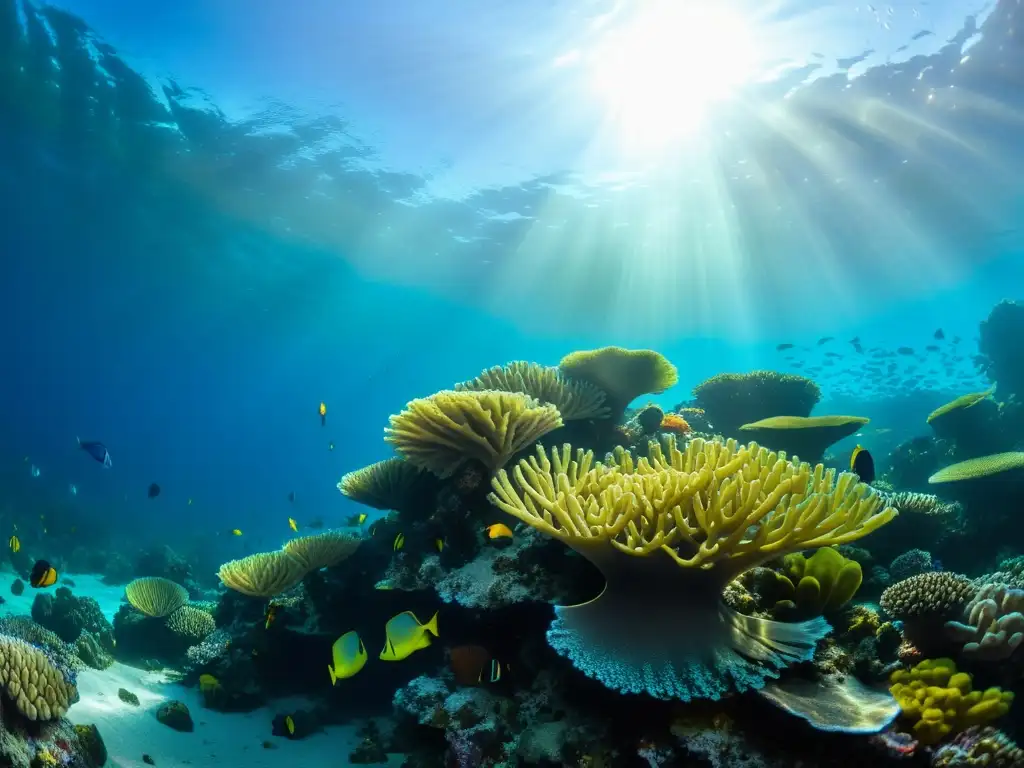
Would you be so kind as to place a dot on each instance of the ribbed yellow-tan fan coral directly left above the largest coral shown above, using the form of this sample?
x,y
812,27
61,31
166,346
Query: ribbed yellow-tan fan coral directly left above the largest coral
x,y
447,430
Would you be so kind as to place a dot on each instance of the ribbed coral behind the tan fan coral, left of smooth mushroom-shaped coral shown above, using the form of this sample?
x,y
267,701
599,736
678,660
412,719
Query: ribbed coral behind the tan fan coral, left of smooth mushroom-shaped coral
x,y
575,400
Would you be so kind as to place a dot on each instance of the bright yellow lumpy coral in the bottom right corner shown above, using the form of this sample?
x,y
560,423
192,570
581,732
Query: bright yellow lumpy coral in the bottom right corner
x,y
941,702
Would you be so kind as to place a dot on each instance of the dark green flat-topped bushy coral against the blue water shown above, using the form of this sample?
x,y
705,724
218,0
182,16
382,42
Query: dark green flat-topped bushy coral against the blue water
x,y
733,400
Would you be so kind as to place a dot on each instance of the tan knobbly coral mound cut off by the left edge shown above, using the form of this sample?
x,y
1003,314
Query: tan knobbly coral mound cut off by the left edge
x,y
30,679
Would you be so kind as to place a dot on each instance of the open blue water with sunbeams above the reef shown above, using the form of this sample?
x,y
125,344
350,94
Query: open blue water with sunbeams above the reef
x,y
220,215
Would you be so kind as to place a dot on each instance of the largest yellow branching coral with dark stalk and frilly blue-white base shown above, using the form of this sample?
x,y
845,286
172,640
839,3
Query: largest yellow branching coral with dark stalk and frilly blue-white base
x,y
669,536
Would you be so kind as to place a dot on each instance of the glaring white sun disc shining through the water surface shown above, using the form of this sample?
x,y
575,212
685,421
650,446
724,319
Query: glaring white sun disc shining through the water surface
x,y
662,70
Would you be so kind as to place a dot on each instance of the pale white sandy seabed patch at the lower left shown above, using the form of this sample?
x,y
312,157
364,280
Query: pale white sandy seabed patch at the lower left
x,y
231,741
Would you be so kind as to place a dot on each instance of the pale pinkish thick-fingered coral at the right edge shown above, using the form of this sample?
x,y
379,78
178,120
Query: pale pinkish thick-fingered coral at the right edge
x,y
993,626
